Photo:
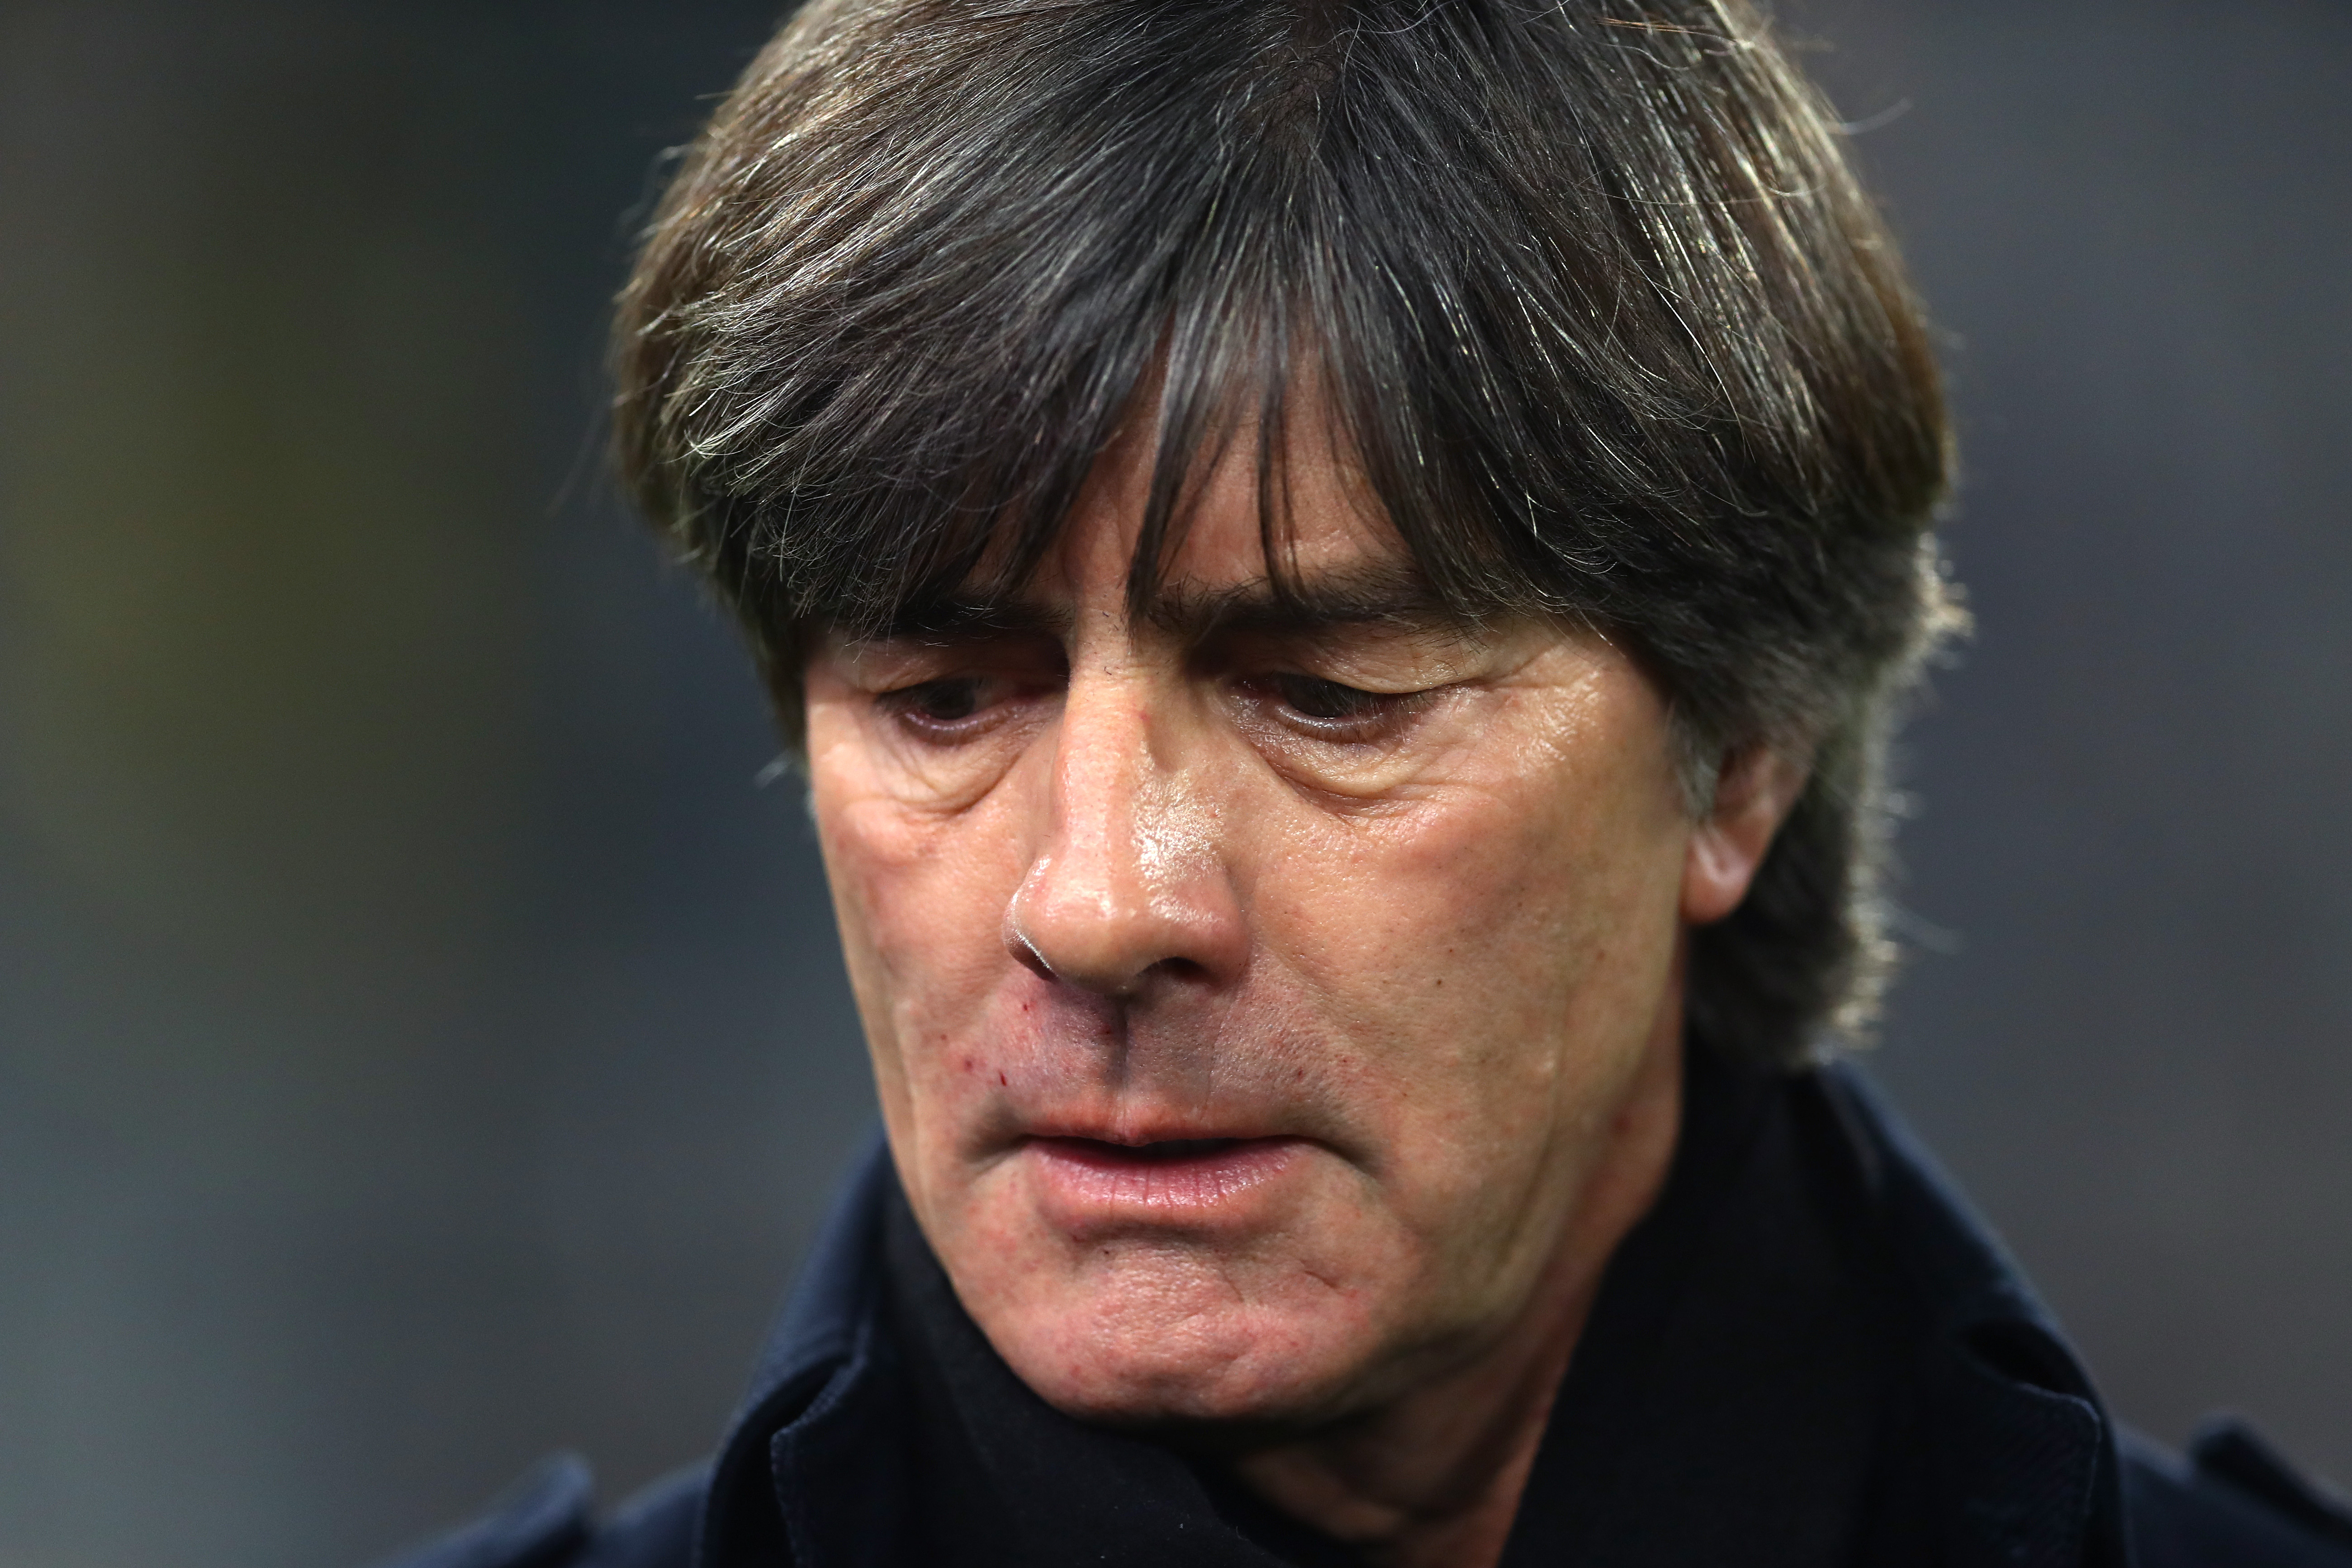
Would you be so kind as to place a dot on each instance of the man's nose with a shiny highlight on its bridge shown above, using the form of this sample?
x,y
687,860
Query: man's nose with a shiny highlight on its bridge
x,y
1130,876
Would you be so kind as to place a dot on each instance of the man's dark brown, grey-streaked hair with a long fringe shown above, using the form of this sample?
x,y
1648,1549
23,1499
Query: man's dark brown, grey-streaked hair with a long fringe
x,y
1586,286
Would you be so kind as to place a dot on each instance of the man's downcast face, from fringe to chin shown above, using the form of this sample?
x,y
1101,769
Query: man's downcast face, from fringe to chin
x,y
1252,996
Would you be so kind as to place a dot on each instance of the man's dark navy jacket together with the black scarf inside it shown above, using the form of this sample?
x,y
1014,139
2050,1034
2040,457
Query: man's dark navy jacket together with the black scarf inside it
x,y
1810,1353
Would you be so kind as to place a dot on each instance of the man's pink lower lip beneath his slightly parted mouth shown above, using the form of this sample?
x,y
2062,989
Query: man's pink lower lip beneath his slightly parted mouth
x,y
1090,1184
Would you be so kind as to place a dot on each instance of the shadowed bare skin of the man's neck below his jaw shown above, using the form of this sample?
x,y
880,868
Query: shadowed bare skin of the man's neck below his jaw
x,y
1434,1480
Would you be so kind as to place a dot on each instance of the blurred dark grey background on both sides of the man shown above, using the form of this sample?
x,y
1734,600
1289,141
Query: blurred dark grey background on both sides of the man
x,y
422,1043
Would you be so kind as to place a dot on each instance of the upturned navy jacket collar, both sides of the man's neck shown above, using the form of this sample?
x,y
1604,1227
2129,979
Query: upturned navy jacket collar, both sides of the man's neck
x,y
2012,1459
